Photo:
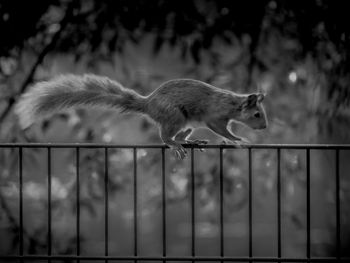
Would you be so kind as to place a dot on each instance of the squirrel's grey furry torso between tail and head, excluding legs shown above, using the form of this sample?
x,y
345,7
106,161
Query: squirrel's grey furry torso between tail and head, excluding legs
x,y
192,99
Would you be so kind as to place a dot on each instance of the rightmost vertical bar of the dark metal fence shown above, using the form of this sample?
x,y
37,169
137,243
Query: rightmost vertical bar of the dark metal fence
x,y
337,200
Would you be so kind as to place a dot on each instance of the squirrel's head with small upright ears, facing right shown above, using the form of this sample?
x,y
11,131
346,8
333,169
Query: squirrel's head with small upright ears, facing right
x,y
252,112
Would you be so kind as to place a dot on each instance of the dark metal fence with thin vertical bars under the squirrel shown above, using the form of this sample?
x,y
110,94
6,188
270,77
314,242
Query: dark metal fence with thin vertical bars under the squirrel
x,y
193,257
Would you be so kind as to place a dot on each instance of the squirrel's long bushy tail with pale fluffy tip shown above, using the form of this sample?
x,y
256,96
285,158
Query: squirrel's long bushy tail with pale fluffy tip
x,y
68,91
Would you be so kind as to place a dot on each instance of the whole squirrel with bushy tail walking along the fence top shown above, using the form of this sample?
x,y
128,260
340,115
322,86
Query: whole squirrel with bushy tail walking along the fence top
x,y
173,105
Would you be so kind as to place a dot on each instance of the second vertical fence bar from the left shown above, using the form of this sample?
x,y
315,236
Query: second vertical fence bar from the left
x,y
49,207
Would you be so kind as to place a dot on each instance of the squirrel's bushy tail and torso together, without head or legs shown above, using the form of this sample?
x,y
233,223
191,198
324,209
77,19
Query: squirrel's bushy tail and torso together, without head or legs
x,y
174,100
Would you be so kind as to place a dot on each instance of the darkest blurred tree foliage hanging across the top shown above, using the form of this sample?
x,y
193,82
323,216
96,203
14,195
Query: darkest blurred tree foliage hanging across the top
x,y
316,28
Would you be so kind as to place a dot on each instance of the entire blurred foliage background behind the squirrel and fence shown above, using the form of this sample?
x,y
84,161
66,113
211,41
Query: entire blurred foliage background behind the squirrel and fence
x,y
295,51
